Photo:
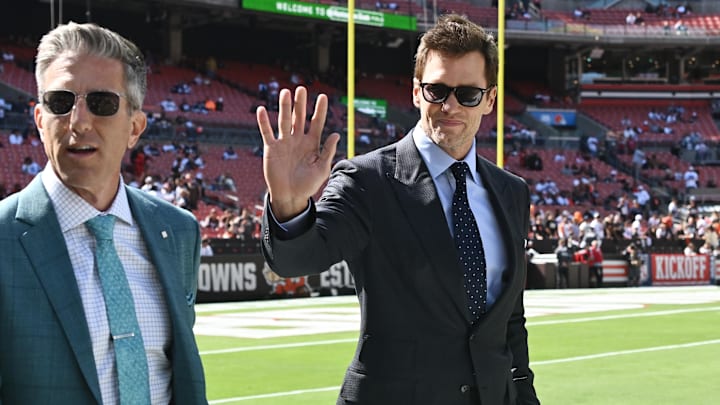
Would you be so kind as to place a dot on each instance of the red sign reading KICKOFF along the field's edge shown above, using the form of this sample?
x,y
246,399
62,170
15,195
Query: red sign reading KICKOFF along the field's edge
x,y
680,269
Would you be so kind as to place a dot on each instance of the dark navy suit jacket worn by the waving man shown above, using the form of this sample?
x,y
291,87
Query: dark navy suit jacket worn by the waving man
x,y
381,213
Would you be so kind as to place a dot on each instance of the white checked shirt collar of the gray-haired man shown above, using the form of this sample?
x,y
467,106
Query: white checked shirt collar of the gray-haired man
x,y
72,210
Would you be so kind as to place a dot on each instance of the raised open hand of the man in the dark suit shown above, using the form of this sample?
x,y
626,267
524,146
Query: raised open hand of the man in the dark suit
x,y
295,165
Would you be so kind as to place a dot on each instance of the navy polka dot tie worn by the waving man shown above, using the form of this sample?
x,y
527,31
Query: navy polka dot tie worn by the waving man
x,y
469,244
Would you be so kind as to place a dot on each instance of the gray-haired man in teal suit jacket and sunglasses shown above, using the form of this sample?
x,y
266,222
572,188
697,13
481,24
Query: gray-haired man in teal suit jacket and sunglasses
x,y
62,342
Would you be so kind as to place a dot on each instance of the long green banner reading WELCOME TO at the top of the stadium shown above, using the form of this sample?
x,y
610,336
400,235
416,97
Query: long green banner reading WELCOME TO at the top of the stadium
x,y
333,13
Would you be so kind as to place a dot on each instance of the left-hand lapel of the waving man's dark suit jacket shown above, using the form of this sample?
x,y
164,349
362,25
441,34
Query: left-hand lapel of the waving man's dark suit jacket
x,y
417,195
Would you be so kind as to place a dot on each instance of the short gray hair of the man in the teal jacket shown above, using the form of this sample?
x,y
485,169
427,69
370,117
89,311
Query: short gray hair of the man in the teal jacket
x,y
92,39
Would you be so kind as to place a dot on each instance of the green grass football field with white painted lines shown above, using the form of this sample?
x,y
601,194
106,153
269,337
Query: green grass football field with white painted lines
x,y
608,346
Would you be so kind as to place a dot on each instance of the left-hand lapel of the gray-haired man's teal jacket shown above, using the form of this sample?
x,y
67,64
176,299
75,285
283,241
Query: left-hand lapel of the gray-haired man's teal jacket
x,y
45,247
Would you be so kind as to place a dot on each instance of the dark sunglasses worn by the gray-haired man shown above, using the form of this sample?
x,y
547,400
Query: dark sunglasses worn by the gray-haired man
x,y
100,103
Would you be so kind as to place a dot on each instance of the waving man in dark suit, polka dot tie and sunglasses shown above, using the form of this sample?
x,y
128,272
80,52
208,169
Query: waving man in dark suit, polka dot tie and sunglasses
x,y
373,202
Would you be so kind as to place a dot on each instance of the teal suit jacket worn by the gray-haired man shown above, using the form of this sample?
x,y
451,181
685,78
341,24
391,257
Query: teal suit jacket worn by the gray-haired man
x,y
45,349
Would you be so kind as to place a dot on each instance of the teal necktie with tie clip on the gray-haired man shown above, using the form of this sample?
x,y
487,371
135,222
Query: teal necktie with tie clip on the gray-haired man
x,y
130,356
